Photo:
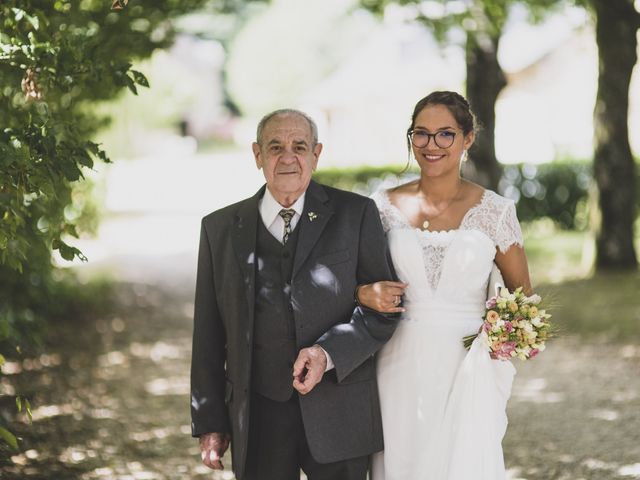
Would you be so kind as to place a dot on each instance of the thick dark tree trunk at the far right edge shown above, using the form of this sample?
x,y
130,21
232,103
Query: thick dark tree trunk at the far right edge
x,y
614,168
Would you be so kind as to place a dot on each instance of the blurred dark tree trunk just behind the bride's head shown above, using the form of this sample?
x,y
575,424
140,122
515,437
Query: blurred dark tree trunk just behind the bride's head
x,y
485,81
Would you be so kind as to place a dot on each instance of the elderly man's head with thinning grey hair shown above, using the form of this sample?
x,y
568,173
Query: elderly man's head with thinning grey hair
x,y
287,156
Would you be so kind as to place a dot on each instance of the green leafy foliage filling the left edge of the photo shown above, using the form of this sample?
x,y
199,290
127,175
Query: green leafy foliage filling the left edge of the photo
x,y
57,59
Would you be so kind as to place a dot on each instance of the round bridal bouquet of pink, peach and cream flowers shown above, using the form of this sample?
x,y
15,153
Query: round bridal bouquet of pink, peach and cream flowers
x,y
514,325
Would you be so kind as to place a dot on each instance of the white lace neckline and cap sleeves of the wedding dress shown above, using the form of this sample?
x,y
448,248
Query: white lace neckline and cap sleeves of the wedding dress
x,y
493,218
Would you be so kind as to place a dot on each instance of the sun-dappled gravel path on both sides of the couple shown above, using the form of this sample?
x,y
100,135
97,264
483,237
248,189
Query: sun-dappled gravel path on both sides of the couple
x,y
110,401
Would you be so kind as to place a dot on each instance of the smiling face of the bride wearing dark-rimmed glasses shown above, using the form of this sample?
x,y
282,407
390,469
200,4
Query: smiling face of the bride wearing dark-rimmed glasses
x,y
438,142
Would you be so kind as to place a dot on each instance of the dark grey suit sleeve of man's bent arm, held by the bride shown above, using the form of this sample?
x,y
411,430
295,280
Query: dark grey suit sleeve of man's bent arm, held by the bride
x,y
350,344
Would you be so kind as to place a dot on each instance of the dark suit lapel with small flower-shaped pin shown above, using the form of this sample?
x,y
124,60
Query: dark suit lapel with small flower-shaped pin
x,y
314,219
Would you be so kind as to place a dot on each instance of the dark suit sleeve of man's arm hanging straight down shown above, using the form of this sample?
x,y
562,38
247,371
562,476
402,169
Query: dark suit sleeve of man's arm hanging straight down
x,y
208,409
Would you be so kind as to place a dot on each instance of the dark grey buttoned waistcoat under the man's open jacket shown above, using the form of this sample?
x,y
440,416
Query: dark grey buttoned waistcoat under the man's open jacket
x,y
274,341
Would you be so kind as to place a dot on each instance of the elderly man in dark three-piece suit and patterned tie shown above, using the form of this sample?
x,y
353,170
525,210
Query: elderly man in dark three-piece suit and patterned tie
x,y
282,362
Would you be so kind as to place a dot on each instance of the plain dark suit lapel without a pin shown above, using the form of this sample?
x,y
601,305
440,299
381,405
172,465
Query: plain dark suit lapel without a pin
x,y
244,244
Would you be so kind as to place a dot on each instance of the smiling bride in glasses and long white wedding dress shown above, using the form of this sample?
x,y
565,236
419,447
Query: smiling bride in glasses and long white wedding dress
x,y
443,408
